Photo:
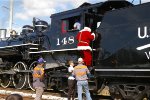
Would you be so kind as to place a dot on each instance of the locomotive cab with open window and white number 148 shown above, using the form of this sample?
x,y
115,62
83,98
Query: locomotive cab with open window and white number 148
x,y
63,32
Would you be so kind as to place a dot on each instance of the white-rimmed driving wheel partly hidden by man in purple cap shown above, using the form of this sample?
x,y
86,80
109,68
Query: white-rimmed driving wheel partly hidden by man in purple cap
x,y
30,78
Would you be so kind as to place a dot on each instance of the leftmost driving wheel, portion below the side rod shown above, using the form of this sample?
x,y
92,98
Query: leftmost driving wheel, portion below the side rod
x,y
5,80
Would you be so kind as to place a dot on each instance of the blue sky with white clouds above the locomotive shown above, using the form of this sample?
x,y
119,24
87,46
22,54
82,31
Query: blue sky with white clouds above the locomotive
x,y
25,10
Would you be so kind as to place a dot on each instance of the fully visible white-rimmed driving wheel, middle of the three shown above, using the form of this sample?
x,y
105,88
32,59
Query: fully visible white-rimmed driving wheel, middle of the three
x,y
20,78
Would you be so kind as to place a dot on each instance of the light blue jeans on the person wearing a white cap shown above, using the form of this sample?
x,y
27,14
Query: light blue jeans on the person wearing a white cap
x,y
83,84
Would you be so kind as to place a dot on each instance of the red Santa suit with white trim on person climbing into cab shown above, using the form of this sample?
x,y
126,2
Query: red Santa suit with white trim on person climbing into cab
x,y
84,38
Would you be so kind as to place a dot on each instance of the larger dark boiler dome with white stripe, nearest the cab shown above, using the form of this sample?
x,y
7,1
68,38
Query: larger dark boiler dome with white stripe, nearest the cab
x,y
41,26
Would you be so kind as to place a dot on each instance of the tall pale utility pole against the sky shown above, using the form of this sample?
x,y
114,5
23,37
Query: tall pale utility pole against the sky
x,y
11,15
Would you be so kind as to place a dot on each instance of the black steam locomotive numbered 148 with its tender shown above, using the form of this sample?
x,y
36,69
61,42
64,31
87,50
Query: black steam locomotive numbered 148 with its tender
x,y
120,52
